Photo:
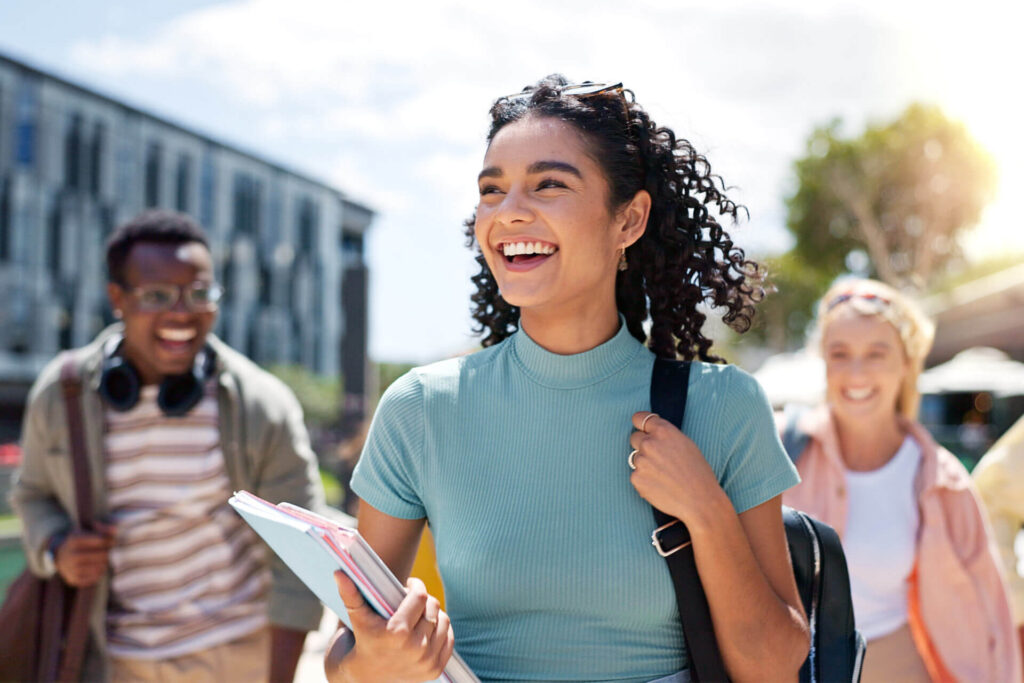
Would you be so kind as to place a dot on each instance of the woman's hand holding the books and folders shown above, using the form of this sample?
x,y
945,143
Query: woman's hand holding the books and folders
x,y
414,646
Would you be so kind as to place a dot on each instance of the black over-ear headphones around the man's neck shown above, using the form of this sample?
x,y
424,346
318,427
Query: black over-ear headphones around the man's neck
x,y
120,385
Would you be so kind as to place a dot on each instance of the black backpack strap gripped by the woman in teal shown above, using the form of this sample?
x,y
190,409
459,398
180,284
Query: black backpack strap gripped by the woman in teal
x,y
669,386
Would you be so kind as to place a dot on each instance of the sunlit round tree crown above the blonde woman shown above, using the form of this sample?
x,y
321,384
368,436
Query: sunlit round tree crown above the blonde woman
x,y
902,192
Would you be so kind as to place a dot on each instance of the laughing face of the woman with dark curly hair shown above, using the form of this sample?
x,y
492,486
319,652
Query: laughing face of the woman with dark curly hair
x,y
543,223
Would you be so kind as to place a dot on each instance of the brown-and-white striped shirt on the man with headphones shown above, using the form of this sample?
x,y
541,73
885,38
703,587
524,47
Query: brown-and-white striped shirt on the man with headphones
x,y
188,573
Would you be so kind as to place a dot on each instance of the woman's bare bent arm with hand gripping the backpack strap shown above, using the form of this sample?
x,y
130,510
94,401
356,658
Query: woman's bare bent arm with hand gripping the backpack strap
x,y
743,560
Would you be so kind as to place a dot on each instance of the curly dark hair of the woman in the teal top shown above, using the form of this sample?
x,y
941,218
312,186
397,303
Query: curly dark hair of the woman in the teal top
x,y
685,259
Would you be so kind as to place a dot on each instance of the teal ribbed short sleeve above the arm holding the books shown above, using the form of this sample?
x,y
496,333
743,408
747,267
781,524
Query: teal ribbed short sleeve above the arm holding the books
x,y
388,476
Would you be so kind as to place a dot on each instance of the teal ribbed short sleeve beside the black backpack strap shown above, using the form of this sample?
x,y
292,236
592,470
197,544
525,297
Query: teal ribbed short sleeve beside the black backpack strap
x,y
757,468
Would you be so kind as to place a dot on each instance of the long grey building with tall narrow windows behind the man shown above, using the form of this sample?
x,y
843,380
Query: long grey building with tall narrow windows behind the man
x,y
75,163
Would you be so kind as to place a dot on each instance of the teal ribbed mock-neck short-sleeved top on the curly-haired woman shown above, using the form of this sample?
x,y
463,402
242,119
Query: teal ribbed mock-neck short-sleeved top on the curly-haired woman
x,y
518,458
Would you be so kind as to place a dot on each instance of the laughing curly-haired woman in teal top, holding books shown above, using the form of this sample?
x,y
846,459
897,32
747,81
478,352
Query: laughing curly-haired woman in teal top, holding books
x,y
592,220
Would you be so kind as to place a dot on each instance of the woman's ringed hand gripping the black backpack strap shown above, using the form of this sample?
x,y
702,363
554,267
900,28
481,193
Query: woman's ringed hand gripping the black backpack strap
x,y
671,473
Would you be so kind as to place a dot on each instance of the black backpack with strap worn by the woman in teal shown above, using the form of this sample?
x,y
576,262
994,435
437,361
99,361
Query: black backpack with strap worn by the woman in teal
x,y
819,565
